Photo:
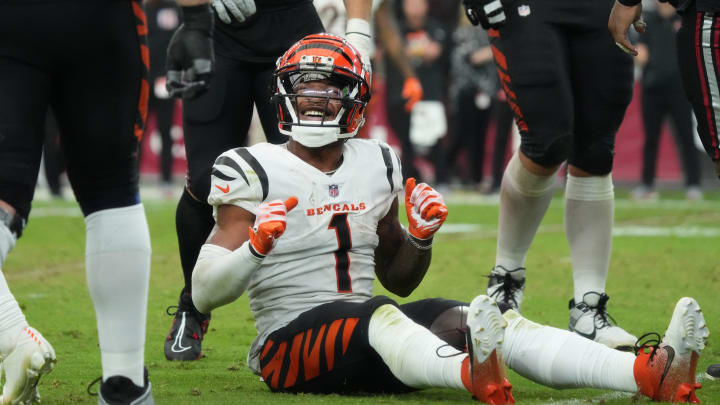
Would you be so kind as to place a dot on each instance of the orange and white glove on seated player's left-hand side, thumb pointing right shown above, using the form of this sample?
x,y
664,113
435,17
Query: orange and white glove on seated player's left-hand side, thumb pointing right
x,y
270,224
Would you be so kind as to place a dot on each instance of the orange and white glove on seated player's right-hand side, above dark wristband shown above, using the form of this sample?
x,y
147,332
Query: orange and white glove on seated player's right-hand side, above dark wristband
x,y
425,208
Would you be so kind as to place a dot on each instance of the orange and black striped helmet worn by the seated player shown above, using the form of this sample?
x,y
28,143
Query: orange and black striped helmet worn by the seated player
x,y
319,57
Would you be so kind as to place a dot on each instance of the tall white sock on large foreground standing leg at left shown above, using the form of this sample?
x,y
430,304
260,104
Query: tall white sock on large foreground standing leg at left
x,y
117,257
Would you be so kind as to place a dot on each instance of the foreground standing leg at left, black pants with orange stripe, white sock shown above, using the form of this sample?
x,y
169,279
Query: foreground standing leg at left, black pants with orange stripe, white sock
x,y
101,107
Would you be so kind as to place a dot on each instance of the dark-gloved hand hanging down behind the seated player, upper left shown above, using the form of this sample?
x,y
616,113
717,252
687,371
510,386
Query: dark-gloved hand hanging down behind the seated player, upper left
x,y
190,56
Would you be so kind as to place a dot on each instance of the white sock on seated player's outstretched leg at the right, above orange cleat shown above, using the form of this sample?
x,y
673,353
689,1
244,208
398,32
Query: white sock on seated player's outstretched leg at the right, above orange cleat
x,y
562,359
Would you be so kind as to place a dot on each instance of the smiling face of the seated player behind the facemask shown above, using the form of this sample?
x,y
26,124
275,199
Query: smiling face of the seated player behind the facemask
x,y
318,100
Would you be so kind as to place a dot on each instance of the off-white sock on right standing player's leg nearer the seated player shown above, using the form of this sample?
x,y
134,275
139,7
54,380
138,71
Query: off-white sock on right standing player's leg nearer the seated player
x,y
524,199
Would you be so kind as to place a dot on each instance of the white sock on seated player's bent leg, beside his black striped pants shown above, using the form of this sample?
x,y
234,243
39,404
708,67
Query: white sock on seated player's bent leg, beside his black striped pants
x,y
410,351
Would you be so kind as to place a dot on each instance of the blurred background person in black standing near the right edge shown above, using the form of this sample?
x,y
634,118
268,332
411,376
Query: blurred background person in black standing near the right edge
x,y
663,97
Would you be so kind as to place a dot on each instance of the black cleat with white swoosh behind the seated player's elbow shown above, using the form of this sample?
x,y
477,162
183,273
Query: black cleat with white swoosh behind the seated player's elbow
x,y
184,342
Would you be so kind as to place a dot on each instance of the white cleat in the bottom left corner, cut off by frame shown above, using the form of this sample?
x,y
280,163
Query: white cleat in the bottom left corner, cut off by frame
x,y
22,368
